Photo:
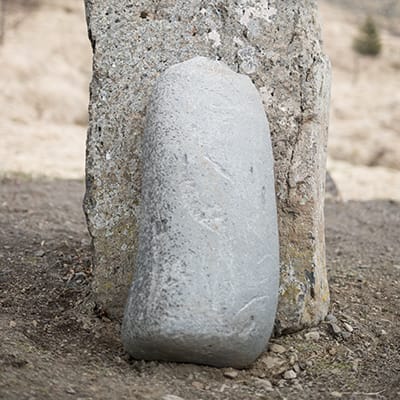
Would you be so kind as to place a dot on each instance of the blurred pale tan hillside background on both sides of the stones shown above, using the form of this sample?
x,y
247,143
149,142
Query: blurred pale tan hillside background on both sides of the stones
x,y
45,64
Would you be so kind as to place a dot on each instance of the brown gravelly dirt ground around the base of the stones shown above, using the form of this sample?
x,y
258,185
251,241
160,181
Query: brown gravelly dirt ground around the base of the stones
x,y
55,345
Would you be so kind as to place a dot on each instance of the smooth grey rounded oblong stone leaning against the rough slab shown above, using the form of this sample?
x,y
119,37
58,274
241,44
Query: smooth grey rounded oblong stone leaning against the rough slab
x,y
206,284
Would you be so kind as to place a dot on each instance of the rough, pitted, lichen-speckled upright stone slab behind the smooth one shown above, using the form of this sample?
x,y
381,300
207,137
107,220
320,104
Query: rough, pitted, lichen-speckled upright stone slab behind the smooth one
x,y
277,44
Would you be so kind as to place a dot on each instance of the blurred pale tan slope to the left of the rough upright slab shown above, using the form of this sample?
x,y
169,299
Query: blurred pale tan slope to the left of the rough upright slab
x,y
45,65
